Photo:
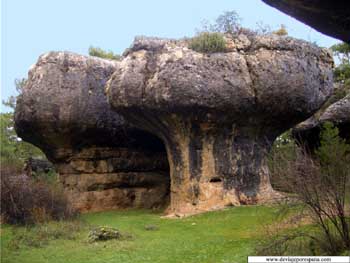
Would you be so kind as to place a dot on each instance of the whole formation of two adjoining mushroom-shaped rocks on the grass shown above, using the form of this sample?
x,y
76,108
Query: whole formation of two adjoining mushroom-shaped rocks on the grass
x,y
213,116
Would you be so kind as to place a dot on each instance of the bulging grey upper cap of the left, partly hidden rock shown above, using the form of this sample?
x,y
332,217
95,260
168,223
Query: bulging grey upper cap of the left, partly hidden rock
x,y
64,105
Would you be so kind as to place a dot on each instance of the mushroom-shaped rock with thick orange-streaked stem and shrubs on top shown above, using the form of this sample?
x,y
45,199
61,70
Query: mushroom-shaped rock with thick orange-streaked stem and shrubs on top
x,y
219,113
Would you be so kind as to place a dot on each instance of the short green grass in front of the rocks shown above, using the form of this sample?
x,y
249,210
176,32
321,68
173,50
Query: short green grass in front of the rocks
x,y
222,236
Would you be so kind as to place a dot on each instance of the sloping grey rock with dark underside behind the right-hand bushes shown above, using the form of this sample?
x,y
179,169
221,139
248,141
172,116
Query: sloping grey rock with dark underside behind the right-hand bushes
x,y
307,133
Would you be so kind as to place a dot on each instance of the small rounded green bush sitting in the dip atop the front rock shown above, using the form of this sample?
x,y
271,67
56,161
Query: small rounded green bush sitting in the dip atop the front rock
x,y
208,43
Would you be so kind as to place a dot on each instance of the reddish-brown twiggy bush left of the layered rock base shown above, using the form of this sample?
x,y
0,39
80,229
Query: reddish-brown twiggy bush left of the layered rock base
x,y
25,200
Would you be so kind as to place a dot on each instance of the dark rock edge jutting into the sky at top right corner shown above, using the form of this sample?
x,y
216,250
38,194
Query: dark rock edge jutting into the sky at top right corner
x,y
328,16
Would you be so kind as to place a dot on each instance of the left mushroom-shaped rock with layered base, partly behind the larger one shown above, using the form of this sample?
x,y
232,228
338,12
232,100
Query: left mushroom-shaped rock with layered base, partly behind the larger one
x,y
102,161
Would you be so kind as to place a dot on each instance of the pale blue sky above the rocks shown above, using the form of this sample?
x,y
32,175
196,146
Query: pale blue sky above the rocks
x,y
30,28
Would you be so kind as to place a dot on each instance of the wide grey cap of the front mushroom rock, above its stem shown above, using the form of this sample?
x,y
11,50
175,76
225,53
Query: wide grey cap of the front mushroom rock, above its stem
x,y
268,75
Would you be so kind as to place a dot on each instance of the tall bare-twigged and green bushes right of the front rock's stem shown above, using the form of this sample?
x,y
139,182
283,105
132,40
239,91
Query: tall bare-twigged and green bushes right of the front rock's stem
x,y
321,184
